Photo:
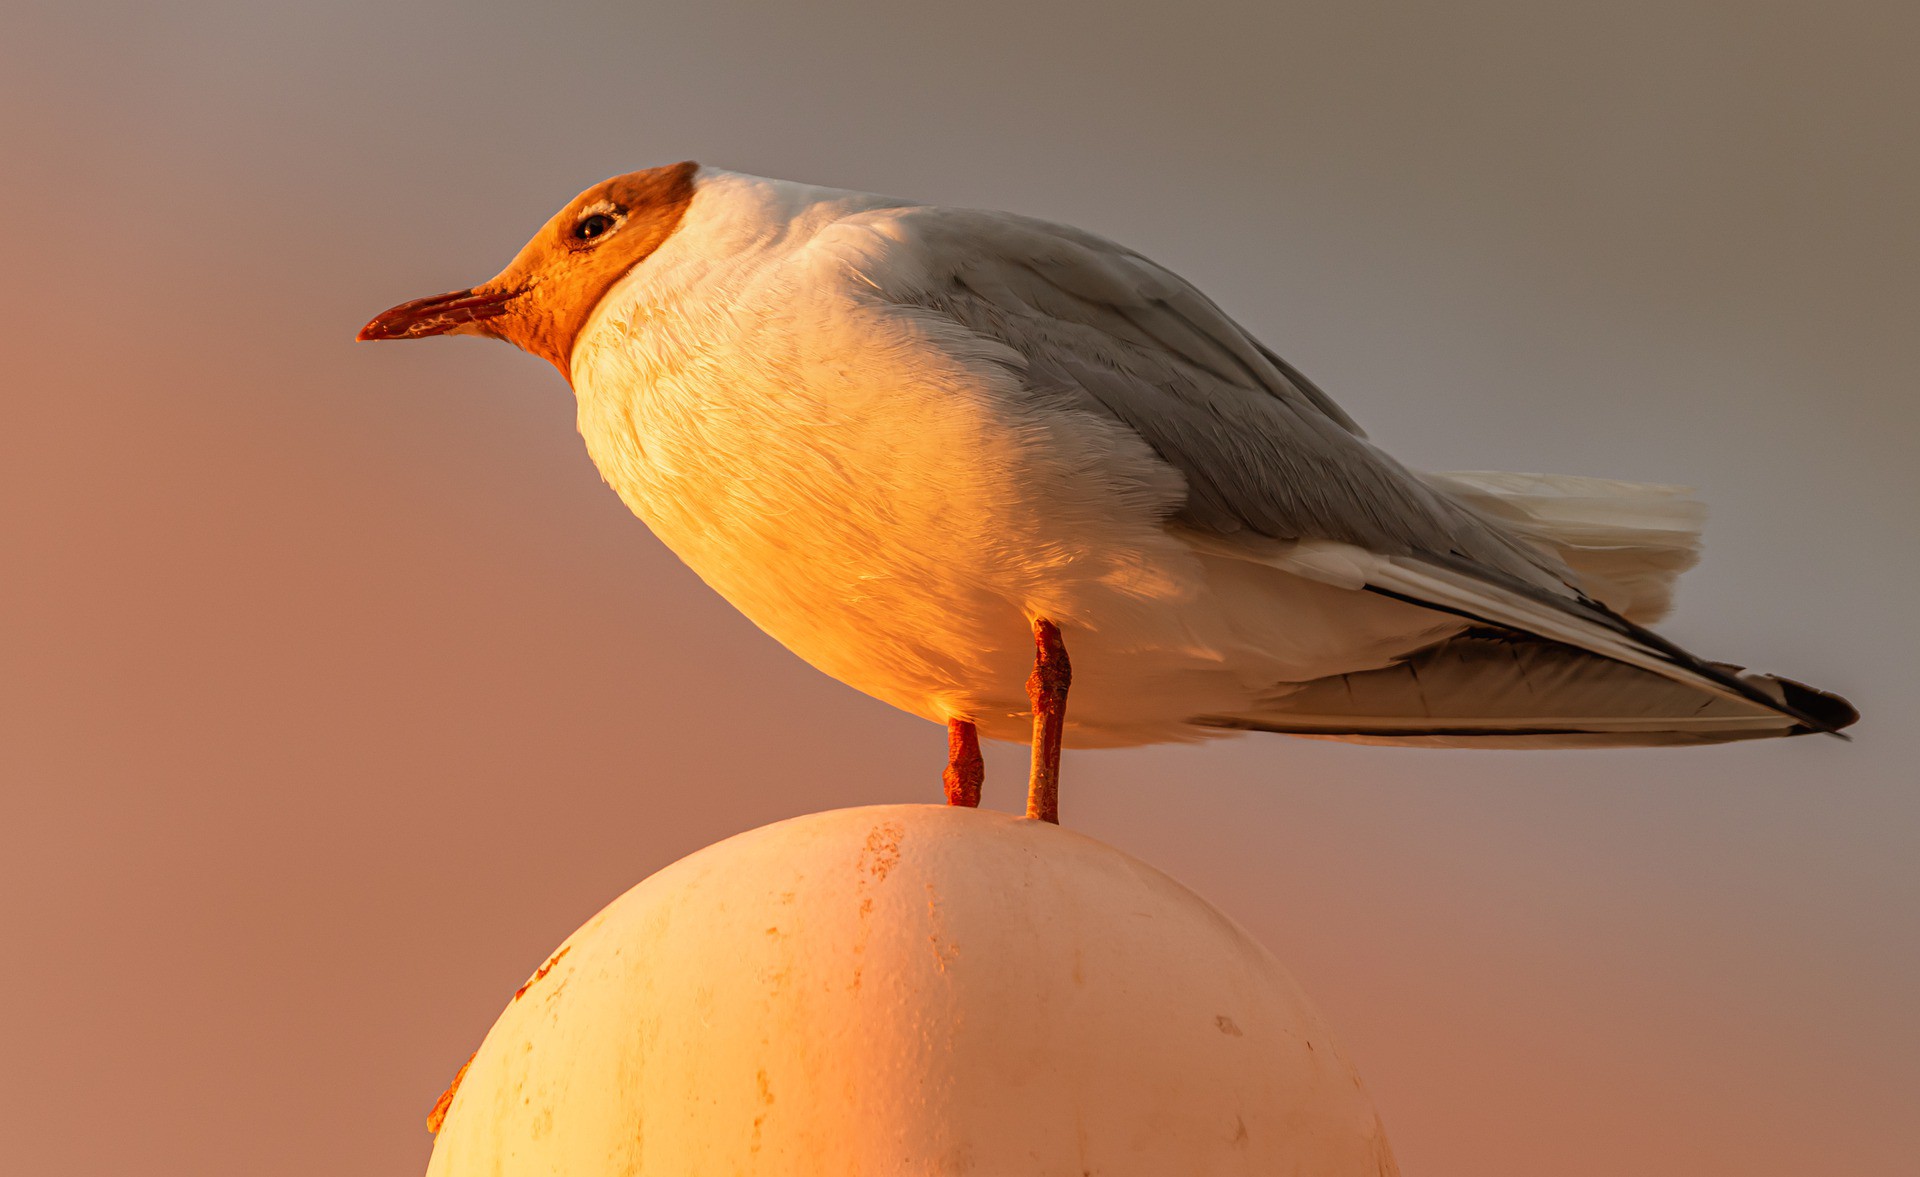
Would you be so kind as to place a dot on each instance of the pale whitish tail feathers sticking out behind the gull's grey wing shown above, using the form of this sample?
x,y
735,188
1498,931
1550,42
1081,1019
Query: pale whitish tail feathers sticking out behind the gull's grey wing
x,y
1629,542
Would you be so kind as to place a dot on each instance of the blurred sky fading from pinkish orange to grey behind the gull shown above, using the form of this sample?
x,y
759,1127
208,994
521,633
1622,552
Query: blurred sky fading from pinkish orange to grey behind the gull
x,y
337,688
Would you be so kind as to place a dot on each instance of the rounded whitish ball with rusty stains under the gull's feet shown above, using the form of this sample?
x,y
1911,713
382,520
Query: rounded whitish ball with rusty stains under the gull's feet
x,y
911,990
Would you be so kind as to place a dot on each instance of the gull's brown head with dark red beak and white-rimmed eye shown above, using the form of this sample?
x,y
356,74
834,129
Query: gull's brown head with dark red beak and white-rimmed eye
x,y
544,297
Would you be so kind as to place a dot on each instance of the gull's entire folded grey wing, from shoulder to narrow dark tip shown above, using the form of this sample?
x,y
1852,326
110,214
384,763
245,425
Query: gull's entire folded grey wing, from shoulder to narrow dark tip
x,y
1264,452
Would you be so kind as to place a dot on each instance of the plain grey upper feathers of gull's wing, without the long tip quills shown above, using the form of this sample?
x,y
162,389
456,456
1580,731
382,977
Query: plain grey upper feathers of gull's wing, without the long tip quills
x,y
1262,448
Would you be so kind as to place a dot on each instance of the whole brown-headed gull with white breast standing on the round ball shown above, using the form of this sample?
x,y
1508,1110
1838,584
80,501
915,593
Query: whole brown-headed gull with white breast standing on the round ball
x,y
932,448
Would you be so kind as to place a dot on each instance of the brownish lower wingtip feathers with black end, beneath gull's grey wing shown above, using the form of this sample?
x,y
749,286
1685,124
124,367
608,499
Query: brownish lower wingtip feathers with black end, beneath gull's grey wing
x,y
1499,688
